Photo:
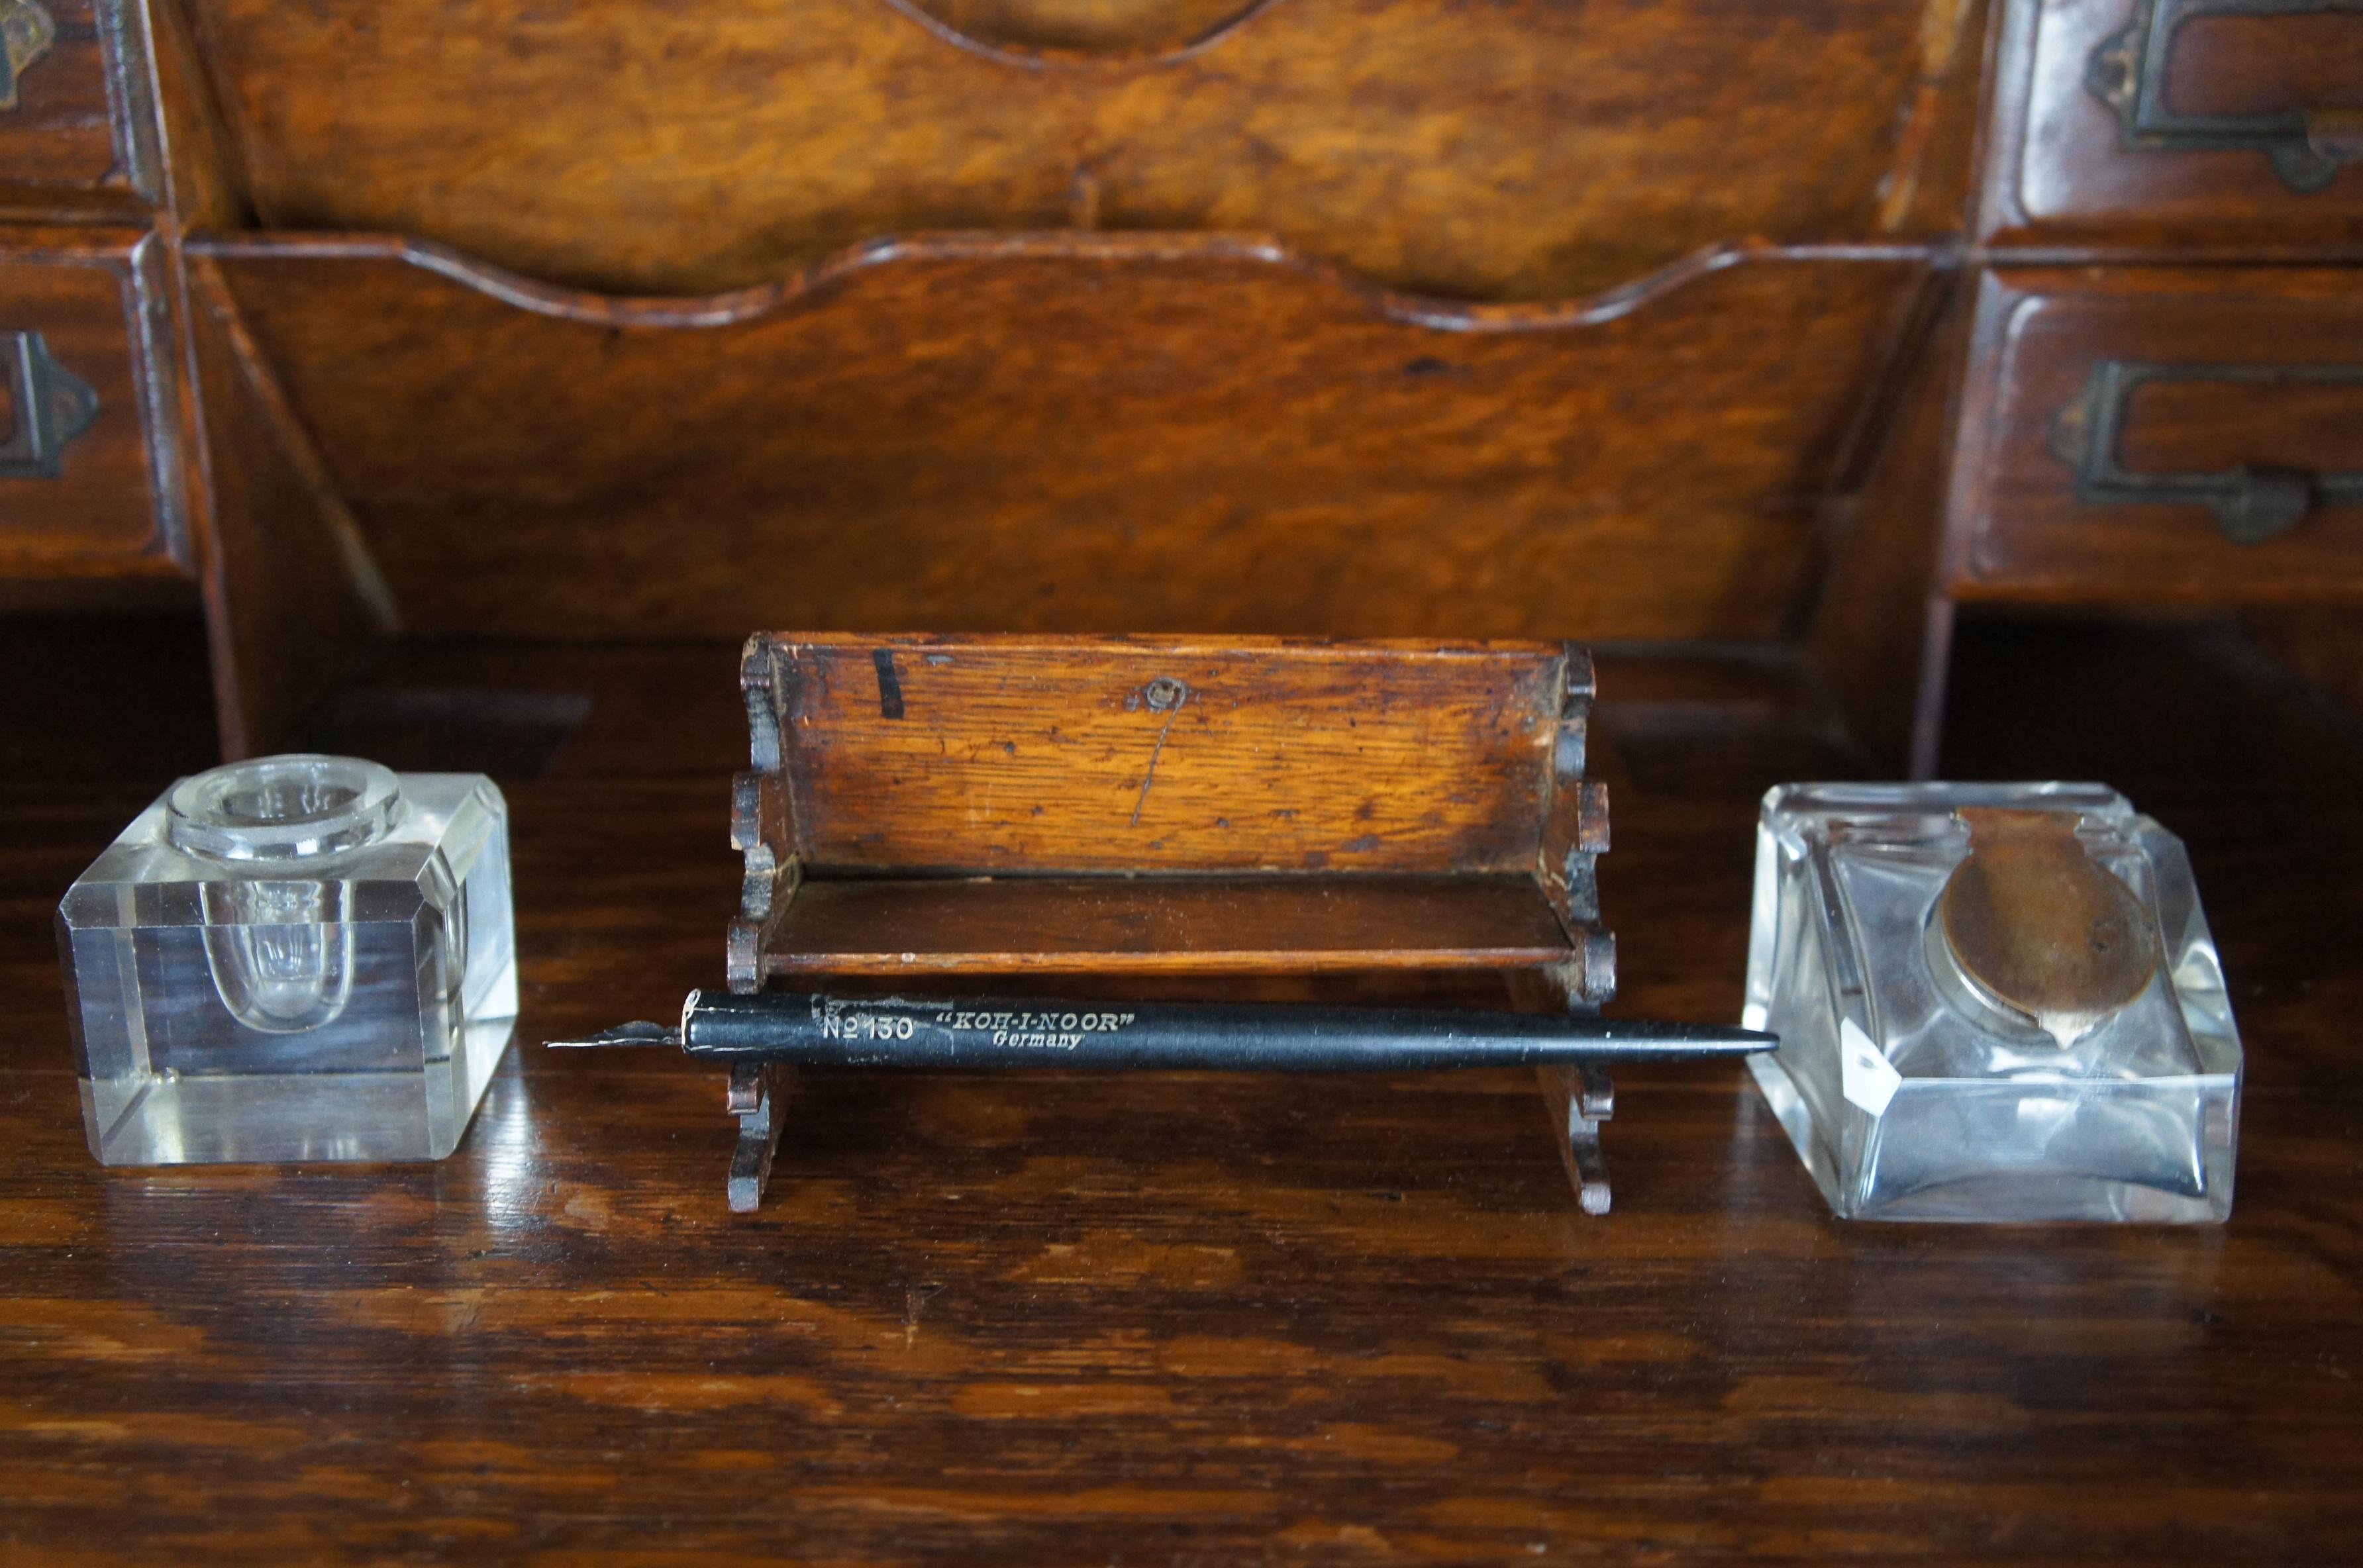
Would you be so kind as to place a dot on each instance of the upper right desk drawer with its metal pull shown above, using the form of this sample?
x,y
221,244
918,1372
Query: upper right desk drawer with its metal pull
x,y
2208,122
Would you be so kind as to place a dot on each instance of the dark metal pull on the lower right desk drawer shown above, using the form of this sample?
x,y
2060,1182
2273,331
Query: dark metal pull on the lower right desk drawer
x,y
2251,502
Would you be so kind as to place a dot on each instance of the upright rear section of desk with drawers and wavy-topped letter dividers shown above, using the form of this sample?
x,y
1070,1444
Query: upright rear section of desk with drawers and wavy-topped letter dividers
x,y
1795,327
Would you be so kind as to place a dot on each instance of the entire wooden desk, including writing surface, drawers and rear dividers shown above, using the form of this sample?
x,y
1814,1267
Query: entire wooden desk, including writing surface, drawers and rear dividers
x,y
481,377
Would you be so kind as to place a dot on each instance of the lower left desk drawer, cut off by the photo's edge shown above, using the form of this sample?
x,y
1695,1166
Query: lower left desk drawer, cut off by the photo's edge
x,y
89,485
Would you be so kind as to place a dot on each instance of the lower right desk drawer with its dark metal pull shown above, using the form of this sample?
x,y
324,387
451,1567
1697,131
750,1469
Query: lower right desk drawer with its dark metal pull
x,y
2152,433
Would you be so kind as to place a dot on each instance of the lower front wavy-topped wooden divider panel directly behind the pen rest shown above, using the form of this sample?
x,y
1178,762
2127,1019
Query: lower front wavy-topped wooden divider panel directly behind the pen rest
x,y
1055,433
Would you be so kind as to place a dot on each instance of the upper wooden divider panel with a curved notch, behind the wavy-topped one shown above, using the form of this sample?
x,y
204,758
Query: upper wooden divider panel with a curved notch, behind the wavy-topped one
x,y
1521,150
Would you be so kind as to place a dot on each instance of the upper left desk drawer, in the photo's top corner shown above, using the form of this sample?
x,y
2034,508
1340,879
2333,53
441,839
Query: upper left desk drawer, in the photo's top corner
x,y
74,100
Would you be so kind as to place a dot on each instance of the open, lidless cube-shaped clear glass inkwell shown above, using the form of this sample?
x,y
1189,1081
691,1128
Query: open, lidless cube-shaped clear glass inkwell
x,y
301,958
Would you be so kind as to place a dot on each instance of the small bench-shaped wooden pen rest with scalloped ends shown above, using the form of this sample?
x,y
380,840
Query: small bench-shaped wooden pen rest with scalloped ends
x,y
953,811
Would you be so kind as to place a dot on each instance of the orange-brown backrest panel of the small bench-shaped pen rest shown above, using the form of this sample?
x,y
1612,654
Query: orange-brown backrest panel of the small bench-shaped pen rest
x,y
1164,754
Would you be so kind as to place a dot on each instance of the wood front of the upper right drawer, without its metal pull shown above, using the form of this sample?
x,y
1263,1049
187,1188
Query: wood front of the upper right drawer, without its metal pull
x,y
2062,174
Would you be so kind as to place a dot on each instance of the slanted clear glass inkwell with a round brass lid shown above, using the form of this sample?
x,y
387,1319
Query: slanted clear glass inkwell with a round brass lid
x,y
1998,1002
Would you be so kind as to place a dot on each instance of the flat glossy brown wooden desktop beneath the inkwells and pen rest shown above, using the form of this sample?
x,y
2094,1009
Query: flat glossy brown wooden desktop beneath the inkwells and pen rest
x,y
1173,1319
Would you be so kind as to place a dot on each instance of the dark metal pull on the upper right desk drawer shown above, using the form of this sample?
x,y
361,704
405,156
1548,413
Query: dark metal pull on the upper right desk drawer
x,y
2128,72
